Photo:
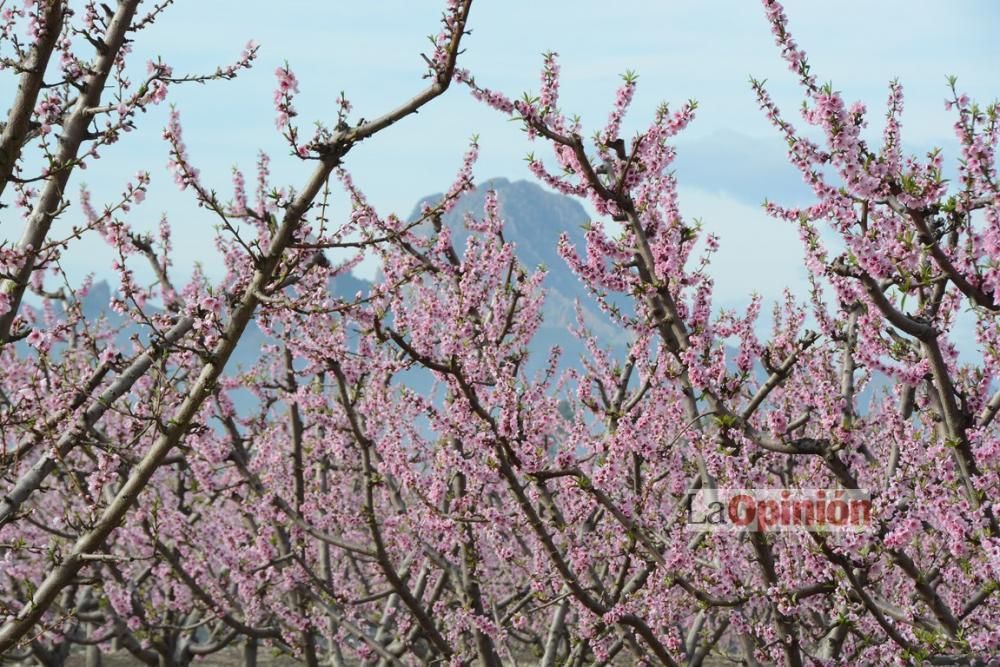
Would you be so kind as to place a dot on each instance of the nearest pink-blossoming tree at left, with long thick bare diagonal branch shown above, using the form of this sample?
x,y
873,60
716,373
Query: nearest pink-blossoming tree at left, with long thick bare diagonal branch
x,y
75,453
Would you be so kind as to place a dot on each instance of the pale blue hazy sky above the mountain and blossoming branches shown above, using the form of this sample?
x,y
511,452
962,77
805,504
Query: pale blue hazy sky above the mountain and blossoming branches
x,y
730,158
